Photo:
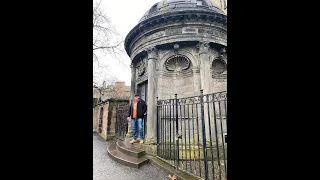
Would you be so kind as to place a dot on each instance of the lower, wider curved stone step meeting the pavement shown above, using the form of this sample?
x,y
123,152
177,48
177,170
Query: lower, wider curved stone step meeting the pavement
x,y
125,159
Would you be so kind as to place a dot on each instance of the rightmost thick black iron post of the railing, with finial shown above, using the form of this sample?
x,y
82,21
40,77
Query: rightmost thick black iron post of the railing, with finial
x,y
204,141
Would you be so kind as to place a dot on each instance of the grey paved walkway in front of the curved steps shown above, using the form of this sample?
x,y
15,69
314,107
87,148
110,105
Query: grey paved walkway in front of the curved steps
x,y
104,168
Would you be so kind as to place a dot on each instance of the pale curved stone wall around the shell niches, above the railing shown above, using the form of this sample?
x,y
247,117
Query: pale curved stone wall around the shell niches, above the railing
x,y
186,83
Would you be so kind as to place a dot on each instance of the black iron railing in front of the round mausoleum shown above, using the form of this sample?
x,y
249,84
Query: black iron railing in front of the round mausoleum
x,y
191,134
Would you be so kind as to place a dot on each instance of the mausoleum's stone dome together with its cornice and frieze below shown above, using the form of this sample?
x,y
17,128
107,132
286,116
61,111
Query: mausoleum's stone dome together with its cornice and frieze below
x,y
157,23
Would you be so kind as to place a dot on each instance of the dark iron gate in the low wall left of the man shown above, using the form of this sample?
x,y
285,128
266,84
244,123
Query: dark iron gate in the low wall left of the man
x,y
121,120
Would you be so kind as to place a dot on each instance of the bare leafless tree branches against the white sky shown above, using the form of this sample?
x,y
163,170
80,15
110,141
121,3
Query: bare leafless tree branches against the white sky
x,y
106,42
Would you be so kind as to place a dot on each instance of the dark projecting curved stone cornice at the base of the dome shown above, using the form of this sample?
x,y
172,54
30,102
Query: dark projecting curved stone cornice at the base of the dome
x,y
194,15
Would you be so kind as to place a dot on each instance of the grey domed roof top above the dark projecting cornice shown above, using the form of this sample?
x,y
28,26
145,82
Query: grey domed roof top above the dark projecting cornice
x,y
166,6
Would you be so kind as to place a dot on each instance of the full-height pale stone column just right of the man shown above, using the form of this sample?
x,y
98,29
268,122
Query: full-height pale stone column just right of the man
x,y
152,87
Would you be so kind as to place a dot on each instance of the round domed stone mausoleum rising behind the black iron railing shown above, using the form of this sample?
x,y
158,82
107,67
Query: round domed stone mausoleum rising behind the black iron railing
x,y
178,47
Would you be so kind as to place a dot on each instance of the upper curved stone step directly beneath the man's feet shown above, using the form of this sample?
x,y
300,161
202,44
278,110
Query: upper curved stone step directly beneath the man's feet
x,y
129,149
